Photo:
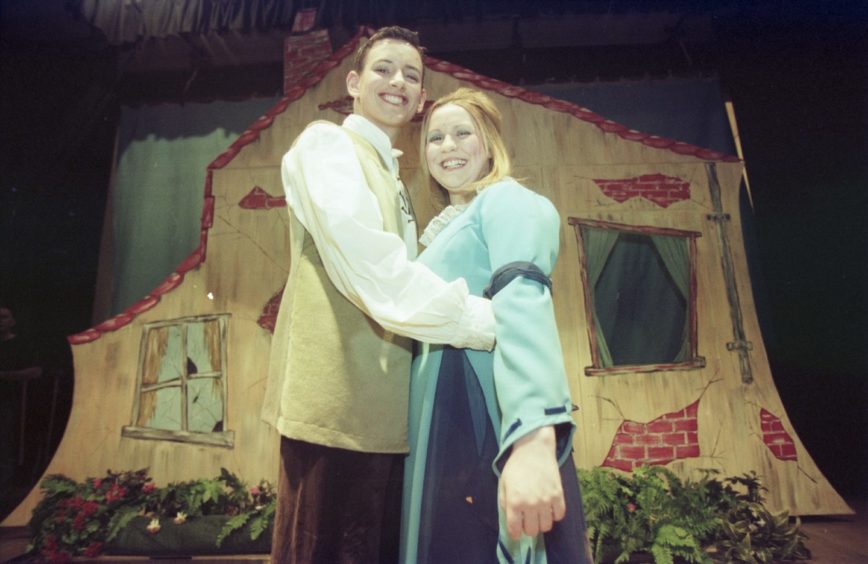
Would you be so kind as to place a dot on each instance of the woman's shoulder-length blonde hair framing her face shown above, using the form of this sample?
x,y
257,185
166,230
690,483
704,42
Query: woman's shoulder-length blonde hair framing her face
x,y
488,120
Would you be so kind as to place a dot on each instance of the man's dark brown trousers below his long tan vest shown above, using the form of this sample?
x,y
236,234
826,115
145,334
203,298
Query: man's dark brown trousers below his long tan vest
x,y
336,506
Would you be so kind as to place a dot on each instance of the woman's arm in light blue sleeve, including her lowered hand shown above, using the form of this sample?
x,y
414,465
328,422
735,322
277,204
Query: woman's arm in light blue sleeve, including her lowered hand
x,y
532,391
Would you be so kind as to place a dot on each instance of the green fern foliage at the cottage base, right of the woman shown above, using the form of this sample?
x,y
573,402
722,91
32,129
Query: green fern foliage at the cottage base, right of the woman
x,y
708,520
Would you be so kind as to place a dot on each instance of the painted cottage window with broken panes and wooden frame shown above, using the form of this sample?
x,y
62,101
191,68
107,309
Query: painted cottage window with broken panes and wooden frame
x,y
181,392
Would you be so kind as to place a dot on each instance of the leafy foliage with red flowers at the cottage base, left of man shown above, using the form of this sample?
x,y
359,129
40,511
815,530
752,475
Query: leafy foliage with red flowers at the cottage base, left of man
x,y
78,519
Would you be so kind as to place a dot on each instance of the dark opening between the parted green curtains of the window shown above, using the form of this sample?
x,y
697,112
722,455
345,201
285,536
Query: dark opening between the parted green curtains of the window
x,y
642,312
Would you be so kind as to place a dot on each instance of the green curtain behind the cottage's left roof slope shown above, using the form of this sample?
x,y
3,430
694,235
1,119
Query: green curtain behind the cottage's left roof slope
x,y
163,154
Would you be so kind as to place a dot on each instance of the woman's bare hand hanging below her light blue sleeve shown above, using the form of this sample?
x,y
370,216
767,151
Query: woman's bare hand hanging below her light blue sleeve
x,y
530,490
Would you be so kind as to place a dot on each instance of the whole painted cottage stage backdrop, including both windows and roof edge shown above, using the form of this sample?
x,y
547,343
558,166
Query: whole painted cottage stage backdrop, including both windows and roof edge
x,y
659,330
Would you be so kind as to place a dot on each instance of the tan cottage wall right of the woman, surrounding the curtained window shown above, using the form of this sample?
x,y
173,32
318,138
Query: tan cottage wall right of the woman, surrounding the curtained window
x,y
701,418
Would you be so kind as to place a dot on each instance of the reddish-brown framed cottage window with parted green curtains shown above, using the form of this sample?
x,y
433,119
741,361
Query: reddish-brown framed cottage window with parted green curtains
x,y
640,296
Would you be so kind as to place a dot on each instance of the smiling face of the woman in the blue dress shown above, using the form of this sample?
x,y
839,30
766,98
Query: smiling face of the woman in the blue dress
x,y
455,152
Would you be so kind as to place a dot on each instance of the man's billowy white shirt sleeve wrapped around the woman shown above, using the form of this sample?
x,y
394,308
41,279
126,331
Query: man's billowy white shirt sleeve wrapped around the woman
x,y
327,191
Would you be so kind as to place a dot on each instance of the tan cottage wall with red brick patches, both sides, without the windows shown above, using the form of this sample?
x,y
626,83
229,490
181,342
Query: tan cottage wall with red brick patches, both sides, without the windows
x,y
690,419
